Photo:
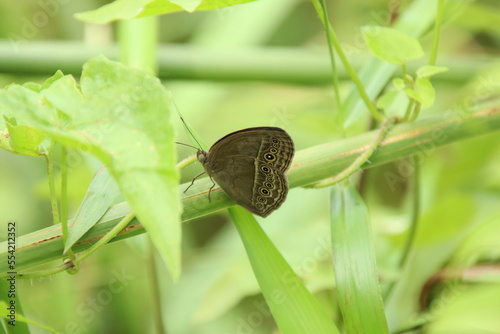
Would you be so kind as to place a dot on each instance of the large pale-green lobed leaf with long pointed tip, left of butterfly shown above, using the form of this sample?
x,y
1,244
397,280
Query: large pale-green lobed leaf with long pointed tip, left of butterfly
x,y
124,121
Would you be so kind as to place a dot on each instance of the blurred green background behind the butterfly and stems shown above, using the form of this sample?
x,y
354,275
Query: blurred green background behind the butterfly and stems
x,y
217,293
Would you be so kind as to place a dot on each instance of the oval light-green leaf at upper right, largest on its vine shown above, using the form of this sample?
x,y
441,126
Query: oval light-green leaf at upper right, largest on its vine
x,y
392,45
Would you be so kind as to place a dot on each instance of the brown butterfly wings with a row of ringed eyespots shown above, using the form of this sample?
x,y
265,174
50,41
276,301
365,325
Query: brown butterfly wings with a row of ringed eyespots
x,y
250,166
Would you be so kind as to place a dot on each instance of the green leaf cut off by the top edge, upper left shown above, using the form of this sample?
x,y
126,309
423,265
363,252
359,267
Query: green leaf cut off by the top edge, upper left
x,y
128,9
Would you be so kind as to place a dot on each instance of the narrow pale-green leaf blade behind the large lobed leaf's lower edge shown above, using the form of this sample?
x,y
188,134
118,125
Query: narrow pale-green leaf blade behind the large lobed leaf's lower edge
x,y
100,195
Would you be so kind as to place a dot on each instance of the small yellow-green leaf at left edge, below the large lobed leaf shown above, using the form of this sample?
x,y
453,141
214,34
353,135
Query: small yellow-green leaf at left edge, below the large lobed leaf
x,y
23,139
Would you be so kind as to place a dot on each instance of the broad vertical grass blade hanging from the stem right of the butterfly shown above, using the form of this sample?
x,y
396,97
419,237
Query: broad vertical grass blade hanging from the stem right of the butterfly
x,y
355,264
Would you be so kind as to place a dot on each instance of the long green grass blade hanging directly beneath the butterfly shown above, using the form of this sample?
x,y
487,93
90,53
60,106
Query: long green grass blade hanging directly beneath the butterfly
x,y
295,310
